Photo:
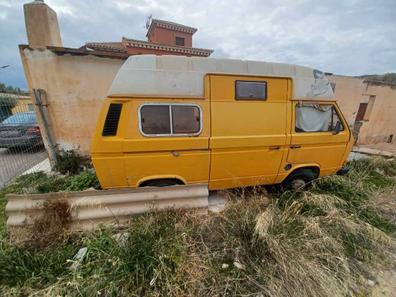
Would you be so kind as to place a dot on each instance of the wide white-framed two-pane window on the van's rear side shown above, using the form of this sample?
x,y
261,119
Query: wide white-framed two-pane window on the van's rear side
x,y
170,119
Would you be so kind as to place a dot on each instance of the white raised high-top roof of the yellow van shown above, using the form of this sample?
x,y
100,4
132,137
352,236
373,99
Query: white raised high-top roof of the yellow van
x,y
178,76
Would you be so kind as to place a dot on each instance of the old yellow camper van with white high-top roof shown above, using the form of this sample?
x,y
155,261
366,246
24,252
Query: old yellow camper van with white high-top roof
x,y
226,123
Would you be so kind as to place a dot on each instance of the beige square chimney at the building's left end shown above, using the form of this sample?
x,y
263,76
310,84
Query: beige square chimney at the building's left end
x,y
41,25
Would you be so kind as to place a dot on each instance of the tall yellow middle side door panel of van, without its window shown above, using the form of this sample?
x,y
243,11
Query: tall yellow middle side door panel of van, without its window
x,y
248,137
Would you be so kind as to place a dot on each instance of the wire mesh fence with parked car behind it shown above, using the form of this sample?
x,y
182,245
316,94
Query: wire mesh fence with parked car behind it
x,y
21,145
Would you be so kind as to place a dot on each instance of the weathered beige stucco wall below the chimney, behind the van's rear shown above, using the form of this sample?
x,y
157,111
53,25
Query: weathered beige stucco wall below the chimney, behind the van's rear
x,y
75,88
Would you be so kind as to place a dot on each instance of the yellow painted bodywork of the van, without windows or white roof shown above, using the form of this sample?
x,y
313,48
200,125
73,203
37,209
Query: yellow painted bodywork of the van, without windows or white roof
x,y
242,142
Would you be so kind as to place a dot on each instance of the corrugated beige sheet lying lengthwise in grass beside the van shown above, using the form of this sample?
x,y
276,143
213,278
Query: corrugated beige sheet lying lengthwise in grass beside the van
x,y
91,208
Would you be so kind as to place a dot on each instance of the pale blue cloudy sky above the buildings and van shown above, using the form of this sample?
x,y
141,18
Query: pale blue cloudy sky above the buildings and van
x,y
350,37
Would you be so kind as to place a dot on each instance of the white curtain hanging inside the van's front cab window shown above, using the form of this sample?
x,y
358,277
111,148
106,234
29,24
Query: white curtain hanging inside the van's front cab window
x,y
313,118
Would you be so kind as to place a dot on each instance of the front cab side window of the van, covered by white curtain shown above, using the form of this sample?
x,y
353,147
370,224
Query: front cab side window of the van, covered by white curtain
x,y
317,118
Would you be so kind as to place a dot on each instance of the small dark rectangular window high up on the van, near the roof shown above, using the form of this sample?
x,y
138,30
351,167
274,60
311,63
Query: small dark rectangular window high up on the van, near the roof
x,y
250,90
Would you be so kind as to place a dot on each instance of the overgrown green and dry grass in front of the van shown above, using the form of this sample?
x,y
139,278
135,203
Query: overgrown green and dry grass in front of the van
x,y
317,243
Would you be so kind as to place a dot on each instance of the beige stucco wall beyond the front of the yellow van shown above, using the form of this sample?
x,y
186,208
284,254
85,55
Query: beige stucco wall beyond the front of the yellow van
x,y
350,92
